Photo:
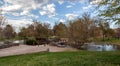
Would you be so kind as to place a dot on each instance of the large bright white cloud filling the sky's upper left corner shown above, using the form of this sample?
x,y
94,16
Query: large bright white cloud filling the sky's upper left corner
x,y
21,7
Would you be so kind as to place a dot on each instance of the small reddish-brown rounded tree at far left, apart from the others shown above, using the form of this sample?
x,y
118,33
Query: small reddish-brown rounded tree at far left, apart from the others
x,y
8,32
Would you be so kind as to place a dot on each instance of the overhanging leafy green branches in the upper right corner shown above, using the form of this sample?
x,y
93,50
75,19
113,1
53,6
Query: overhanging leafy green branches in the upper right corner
x,y
111,10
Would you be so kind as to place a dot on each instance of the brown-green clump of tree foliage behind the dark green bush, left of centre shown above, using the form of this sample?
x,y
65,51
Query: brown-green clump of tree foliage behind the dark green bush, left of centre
x,y
36,30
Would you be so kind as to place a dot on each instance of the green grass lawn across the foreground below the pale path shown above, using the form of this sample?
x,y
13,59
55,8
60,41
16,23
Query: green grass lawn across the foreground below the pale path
x,y
80,58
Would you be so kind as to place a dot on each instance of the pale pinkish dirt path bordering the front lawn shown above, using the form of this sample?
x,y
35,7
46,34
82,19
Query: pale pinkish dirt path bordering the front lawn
x,y
23,49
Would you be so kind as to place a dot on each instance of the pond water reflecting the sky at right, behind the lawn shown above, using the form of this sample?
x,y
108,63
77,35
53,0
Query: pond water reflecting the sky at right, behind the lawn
x,y
100,47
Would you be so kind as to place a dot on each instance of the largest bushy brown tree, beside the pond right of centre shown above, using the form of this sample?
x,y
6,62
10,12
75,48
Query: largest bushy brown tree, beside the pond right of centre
x,y
80,30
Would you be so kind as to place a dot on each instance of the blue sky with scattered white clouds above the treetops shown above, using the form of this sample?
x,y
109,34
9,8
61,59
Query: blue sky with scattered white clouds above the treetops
x,y
21,13
